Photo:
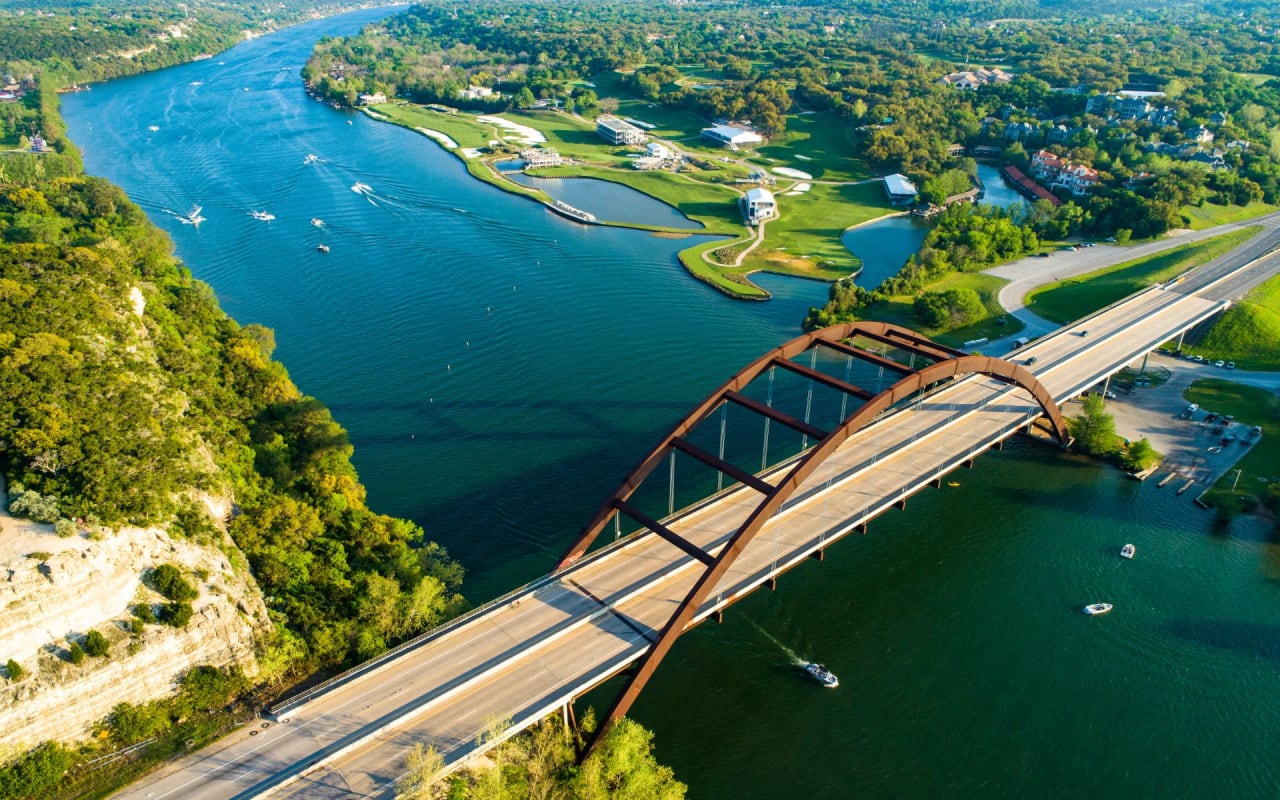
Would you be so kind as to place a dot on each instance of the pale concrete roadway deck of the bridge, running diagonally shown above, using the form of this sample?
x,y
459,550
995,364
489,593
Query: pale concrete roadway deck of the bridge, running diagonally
x,y
524,659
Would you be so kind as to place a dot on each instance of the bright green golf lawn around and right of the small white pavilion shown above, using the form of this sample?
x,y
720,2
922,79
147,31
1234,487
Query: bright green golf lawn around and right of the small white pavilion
x,y
807,240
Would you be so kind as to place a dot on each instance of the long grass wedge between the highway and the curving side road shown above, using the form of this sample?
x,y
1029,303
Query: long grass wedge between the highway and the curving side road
x,y
1069,300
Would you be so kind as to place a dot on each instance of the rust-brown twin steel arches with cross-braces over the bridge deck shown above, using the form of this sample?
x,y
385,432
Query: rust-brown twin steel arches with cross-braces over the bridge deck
x,y
943,367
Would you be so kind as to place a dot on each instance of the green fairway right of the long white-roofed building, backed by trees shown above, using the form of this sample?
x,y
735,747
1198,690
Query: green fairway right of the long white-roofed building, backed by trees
x,y
825,140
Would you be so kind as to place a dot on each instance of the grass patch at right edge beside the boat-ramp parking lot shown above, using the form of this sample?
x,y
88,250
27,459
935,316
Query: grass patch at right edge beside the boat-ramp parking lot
x,y
1252,406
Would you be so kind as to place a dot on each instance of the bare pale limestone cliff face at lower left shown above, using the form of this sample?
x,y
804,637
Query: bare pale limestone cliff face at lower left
x,y
54,591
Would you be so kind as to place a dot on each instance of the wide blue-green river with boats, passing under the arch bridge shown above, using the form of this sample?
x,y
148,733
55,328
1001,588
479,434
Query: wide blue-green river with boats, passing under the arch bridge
x,y
500,371
